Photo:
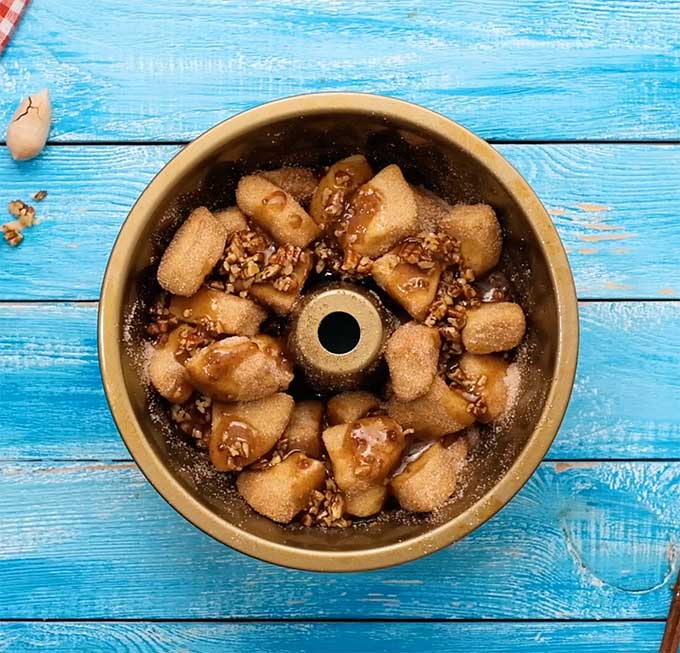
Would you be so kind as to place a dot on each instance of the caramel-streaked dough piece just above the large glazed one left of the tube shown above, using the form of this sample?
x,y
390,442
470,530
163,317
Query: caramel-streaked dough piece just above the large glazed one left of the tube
x,y
223,313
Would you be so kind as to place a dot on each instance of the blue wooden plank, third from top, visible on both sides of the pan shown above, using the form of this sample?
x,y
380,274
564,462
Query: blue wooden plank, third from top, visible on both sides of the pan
x,y
624,403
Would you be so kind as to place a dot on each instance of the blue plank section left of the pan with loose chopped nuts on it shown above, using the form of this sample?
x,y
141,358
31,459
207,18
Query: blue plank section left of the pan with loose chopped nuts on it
x,y
90,191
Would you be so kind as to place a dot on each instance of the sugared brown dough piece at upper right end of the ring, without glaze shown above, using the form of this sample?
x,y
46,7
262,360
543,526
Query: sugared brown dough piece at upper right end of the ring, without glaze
x,y
476,228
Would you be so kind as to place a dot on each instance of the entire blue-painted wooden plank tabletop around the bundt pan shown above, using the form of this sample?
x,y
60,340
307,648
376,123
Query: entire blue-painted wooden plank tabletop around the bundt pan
x,y
582,97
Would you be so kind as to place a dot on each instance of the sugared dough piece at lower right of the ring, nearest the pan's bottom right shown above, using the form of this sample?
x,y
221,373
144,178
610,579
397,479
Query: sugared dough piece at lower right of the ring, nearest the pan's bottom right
x,y
427,482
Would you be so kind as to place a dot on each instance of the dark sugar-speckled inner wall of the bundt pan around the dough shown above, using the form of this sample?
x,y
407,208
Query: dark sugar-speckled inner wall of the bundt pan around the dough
x,y
426,159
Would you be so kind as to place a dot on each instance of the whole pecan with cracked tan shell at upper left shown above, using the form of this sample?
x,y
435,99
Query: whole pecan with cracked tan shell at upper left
x,y
30,126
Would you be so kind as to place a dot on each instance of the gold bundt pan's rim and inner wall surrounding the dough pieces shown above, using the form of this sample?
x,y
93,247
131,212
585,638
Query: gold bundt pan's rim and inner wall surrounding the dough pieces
x,y
316,130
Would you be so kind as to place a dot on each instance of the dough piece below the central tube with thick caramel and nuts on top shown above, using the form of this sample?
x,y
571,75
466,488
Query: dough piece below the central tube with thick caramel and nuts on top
x,y
364,453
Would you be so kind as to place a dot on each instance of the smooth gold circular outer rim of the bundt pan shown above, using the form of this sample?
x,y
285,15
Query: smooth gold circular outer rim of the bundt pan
x,y
122,265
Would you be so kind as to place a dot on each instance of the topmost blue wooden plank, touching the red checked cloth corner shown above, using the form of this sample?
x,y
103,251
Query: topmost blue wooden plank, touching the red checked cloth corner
x,y
508,70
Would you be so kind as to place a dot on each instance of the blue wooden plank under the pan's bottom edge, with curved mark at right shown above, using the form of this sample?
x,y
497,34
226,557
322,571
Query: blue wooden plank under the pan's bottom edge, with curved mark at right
x,y
595,541
